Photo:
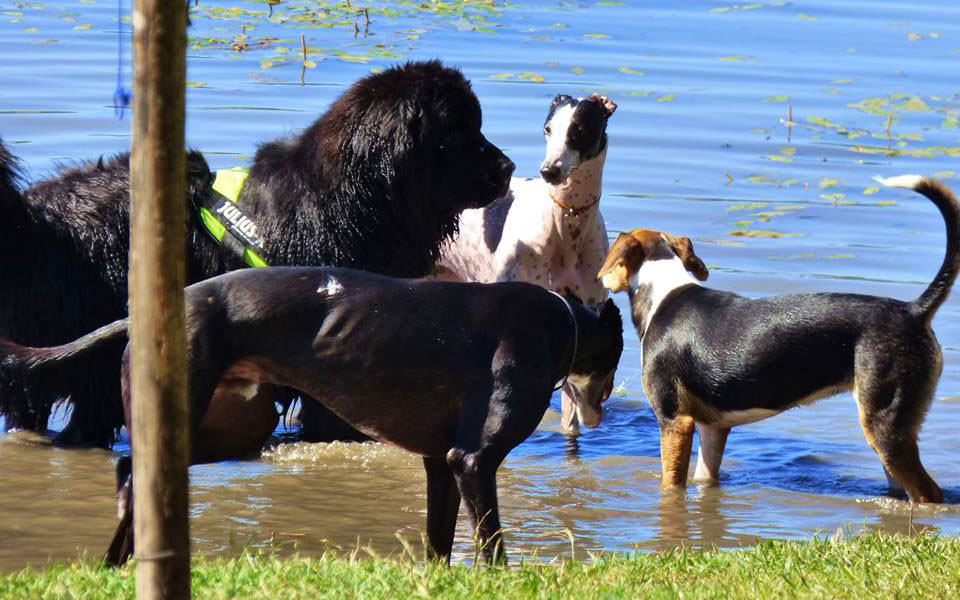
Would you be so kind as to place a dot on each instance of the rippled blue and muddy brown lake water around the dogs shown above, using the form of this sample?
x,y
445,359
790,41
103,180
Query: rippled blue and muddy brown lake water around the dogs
x,y
754,129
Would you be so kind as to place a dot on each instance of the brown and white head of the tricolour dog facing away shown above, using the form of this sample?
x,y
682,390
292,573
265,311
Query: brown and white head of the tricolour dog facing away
x,y
648,265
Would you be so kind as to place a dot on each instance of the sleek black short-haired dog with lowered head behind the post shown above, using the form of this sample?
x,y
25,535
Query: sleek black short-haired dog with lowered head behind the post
x,y
458,373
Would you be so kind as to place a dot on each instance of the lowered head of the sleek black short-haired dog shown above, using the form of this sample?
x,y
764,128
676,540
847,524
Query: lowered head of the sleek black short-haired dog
x,y
591,376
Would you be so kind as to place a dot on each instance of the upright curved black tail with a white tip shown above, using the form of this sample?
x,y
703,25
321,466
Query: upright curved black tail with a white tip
x,y
930,300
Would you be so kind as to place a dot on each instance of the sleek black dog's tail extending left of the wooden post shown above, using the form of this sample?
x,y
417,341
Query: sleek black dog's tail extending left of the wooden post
x,y
54,371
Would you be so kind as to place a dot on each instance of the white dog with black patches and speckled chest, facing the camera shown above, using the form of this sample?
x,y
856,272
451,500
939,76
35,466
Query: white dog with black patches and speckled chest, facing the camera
x,y
548,230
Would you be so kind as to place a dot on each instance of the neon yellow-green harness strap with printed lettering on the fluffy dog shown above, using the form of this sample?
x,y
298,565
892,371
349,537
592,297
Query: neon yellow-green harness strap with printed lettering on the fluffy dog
x,y
227,223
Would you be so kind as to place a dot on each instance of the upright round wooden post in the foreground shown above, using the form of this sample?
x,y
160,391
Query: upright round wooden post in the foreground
x,y
160,414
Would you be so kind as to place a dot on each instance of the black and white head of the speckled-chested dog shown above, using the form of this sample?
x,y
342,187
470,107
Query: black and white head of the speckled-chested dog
x,y
576,132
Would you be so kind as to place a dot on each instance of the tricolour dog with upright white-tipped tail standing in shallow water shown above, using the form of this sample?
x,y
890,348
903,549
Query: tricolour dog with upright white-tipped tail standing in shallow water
x,y
716,359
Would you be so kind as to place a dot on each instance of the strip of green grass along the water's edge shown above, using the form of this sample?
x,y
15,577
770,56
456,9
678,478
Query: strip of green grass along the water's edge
x,y
872,567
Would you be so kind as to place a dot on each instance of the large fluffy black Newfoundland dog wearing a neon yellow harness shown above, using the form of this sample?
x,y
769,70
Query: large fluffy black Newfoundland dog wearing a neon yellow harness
x,y
376,183
